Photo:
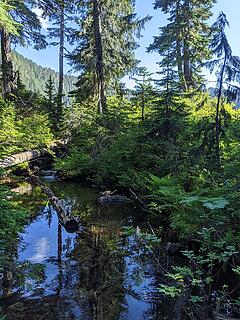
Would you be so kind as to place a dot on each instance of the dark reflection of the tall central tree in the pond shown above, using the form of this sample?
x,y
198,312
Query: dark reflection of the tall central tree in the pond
x,y
102,275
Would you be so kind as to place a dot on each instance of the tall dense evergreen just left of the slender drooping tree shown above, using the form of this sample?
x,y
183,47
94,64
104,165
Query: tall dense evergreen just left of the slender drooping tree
x,y
184,40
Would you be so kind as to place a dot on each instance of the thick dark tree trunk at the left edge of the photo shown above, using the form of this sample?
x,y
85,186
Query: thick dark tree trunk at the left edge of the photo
x,y
8,79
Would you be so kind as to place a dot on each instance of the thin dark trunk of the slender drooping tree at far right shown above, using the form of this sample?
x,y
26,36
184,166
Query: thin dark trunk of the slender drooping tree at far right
x,y
217,121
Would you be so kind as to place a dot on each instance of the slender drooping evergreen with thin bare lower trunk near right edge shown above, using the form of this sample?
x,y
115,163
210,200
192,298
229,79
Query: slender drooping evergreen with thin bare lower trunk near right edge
x,y
228,70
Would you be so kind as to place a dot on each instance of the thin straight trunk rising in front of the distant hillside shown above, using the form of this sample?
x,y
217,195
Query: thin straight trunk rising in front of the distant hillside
x,y
61,60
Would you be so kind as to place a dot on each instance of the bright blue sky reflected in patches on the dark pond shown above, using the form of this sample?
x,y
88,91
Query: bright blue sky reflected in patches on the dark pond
x,y
42,247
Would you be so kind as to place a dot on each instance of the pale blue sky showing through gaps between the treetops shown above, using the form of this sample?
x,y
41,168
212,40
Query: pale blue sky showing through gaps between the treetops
x,y
48,57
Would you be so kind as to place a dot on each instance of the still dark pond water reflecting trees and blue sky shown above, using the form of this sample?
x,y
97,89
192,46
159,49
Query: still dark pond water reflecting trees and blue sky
x,y
99,272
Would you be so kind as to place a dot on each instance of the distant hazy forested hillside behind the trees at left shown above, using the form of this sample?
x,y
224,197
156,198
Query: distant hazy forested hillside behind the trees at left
x,y
35,77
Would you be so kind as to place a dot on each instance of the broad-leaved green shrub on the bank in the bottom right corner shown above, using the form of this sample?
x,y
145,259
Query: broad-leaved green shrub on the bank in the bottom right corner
x,y
195,281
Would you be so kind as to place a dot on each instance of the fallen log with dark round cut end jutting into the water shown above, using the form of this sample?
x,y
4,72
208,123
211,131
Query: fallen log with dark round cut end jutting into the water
x,y
71,225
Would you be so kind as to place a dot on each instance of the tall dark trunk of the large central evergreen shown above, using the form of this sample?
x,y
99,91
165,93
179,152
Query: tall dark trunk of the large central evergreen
x,y
102,104
